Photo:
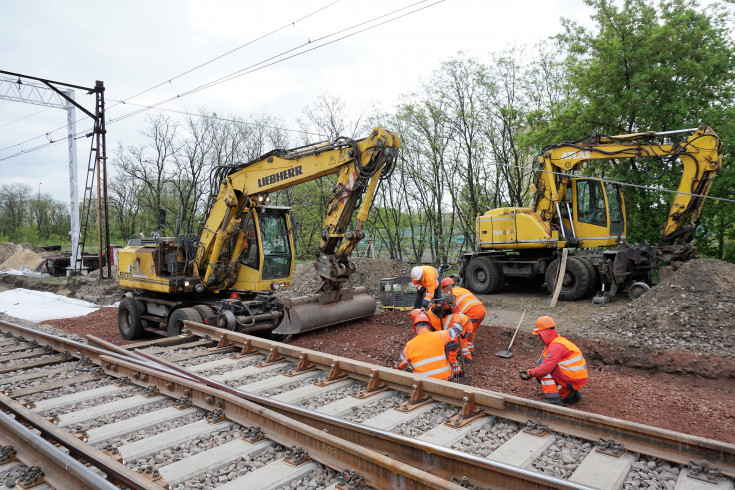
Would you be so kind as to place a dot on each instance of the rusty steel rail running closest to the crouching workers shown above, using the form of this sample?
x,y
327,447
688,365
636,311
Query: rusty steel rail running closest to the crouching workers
x,y
661,443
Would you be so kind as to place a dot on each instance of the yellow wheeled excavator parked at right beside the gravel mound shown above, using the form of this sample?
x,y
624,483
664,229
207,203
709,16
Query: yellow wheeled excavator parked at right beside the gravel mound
x,y
587,216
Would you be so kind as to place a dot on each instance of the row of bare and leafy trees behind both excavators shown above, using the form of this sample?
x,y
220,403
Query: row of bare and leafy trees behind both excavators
x,y
471,134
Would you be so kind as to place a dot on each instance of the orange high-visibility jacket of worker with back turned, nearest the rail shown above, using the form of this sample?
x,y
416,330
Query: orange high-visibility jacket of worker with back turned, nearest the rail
x,y
425,353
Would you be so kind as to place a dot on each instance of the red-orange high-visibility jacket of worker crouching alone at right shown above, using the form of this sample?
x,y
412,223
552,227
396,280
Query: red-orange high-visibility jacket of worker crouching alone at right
x,y
564,361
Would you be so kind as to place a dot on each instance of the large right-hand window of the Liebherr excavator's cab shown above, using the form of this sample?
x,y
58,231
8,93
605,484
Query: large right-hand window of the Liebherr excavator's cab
x,y
274,237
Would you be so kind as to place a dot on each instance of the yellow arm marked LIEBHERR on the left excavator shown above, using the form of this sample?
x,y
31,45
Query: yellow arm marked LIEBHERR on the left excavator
x,y
360,165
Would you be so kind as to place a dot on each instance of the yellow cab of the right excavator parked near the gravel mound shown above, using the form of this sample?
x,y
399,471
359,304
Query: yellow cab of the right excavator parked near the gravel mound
x,y
597,212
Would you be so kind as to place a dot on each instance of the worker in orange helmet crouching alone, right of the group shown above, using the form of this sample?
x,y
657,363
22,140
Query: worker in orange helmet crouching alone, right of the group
x,y
561,369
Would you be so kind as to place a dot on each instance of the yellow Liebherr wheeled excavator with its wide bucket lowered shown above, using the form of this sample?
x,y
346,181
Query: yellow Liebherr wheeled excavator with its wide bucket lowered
x,y
228,275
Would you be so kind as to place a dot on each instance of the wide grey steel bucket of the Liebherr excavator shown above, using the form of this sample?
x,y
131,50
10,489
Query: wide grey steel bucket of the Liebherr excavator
x,y
322,310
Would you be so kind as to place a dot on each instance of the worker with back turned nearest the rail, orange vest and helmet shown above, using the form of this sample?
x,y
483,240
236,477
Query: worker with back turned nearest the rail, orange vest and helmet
x,y
426,353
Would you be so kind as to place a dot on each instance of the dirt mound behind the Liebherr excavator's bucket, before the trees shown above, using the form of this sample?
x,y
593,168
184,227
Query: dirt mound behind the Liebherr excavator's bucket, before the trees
x,y
369,273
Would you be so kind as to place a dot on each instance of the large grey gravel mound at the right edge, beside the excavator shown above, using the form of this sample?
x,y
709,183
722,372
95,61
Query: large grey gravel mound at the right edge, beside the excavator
x,y
693,308
